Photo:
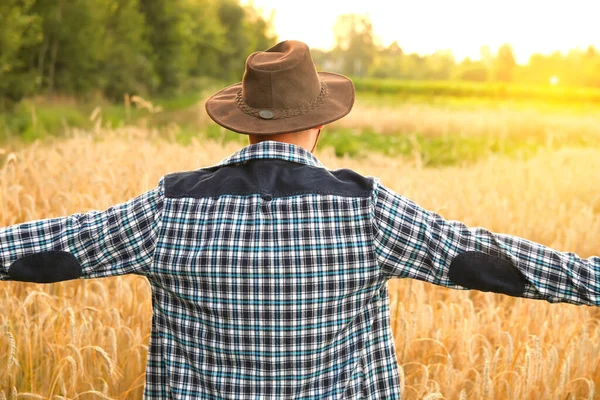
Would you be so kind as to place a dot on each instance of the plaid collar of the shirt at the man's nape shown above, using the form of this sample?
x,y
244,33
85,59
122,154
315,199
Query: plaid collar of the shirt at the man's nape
x,y
272,149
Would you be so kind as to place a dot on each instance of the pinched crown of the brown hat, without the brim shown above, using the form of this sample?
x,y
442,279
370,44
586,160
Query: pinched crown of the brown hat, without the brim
x,y
282,77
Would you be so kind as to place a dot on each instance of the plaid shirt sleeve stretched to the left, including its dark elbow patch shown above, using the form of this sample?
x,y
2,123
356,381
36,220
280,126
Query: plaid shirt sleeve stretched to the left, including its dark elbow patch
x,y
119,240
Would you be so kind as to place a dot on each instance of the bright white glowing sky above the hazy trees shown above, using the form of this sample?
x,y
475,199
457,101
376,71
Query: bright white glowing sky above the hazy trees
x,y
463,26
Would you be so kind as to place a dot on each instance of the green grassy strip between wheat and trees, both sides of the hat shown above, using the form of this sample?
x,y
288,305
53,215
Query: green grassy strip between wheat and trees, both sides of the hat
x,y
439,123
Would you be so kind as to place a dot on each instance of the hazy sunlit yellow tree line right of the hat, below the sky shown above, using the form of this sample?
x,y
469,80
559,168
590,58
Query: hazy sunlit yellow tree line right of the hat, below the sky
x,y
357,53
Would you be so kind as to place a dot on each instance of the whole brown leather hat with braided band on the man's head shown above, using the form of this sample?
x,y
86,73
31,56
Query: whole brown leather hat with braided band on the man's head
x,y
281,92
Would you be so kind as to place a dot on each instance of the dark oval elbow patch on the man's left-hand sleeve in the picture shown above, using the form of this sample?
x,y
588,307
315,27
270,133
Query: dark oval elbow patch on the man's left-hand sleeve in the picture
x,y
45,267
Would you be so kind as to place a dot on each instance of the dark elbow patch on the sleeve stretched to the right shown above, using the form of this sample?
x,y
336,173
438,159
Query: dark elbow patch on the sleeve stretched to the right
x,y
487,273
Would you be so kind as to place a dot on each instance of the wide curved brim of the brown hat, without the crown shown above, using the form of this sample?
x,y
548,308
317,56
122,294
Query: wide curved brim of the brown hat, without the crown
x,y
224,110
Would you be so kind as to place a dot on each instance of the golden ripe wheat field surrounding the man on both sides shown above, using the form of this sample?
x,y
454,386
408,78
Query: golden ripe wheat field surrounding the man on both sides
x,y
88,339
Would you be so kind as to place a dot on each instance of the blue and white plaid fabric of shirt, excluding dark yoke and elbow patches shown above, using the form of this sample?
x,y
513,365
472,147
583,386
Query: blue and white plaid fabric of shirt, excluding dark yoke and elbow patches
x,y
284,299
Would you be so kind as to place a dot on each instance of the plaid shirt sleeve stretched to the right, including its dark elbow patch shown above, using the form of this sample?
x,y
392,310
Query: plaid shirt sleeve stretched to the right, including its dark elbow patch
x,y
411,242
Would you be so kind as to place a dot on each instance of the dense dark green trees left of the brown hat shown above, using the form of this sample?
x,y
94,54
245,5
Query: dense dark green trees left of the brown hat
x,y
80,47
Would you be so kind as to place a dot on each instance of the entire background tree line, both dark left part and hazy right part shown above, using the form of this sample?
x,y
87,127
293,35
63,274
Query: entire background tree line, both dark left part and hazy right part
x,y
165,47
